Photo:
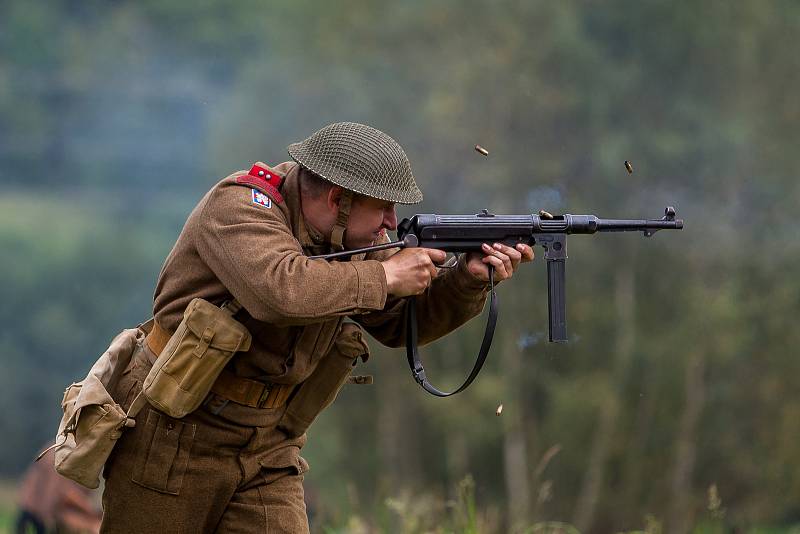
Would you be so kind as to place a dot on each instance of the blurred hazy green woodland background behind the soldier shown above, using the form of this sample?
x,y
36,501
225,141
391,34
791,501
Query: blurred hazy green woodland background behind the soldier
x,y
674,406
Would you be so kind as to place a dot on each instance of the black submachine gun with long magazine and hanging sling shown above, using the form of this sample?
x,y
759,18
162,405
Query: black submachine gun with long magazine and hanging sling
x,y
466,233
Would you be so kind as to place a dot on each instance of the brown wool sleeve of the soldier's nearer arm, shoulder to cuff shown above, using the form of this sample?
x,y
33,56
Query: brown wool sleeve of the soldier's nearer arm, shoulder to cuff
x,y
252,251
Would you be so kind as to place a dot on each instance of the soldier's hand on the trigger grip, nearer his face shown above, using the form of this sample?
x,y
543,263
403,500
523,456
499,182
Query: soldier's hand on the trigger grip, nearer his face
x,y
410,271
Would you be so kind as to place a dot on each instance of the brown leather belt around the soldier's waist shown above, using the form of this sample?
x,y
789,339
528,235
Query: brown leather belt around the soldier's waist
x,y
228,385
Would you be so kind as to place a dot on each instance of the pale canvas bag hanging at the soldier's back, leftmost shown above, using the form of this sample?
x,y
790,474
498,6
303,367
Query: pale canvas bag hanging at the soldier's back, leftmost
x,y
92,421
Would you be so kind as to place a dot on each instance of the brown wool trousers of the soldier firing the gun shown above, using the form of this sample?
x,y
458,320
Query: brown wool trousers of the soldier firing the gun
x,y
229,472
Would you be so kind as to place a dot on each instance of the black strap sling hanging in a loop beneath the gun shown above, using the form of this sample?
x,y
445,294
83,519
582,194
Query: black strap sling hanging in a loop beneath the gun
x,y
412,353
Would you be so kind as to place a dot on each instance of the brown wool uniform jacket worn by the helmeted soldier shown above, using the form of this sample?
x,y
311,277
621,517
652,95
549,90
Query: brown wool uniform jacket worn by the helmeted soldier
x,y
232,246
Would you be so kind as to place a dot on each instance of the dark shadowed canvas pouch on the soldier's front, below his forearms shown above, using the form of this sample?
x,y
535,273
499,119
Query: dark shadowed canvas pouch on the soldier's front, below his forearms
x,y
319,390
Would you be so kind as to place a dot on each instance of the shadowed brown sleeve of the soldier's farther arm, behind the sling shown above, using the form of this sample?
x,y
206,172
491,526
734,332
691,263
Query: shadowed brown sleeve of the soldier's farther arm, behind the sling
x,y
455,297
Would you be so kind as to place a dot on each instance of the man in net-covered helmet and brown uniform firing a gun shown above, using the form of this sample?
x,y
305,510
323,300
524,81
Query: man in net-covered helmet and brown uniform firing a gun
x,y
234,464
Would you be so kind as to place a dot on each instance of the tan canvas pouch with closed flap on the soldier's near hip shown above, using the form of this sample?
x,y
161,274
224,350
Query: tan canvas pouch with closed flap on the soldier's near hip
x,y
195,355
